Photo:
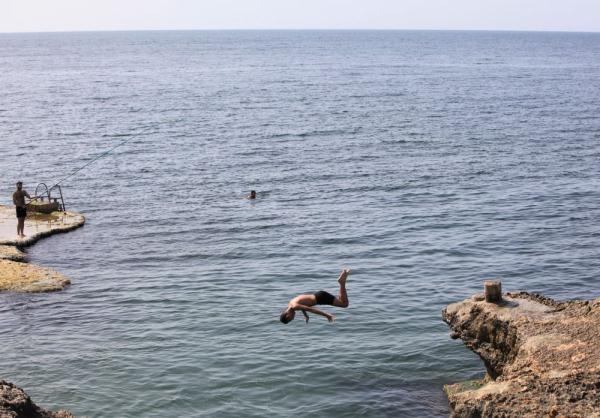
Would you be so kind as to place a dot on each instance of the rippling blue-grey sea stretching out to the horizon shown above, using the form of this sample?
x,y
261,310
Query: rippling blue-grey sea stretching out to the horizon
x,y
425,161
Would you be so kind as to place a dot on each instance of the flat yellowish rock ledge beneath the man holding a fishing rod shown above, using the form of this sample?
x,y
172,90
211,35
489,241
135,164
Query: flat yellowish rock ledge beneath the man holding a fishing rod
x,y
16,274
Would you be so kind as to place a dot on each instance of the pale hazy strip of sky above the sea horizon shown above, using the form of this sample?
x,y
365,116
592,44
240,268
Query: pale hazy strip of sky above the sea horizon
x,y
72,15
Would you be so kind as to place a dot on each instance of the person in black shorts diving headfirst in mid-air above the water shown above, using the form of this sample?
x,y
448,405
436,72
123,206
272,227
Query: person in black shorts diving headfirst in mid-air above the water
x,y
306,302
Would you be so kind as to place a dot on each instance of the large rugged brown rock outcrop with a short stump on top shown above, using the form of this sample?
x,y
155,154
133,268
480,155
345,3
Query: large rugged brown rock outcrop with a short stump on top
x,y
542,357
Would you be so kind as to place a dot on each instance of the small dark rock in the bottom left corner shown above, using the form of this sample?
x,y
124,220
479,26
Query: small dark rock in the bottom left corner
x,y
15,403
